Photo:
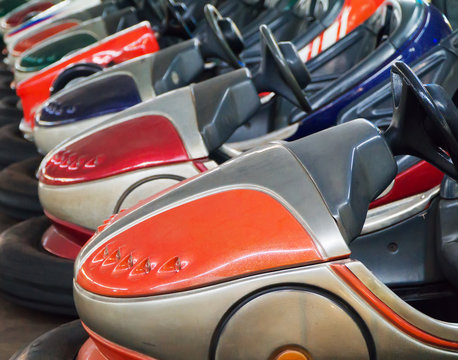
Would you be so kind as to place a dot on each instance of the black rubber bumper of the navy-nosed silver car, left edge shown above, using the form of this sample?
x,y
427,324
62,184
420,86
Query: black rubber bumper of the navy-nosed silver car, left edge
x,y
19,189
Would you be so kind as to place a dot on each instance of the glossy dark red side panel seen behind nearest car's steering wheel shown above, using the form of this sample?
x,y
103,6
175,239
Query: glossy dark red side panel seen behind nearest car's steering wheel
x,y
416,179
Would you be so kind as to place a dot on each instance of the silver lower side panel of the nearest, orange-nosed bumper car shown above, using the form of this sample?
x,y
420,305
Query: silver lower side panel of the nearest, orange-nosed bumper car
x,y
149,324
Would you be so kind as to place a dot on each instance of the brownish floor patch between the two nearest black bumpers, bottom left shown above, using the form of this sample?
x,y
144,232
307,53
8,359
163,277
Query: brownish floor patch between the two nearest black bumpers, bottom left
x,y
19,326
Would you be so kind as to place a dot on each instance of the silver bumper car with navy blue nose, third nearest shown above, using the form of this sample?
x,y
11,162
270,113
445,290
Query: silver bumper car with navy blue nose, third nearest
x,y
185,62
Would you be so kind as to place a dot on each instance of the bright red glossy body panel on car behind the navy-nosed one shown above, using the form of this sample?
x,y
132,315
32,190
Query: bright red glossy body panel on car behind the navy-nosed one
x,y
133,42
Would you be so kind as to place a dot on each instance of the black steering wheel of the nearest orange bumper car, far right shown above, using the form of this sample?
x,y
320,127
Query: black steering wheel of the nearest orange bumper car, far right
x,y
425,121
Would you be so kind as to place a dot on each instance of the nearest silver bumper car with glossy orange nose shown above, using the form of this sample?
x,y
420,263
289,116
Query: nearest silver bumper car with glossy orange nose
x,y
275,277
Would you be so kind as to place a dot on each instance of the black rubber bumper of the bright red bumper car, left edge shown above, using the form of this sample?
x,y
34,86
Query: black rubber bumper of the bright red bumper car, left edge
x,y
13,146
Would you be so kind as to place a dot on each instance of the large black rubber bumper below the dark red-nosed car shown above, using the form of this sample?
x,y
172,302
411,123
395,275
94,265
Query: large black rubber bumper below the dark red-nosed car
x,y
31,276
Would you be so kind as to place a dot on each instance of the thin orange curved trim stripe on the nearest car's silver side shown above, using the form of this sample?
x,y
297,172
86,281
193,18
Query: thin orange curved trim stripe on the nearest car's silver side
x,y
395,319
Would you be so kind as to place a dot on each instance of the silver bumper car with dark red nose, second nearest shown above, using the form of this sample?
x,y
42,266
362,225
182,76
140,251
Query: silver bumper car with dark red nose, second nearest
x,y
129,178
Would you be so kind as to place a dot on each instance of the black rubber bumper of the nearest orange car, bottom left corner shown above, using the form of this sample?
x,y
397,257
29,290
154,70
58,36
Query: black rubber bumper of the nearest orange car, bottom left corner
x,y
62,343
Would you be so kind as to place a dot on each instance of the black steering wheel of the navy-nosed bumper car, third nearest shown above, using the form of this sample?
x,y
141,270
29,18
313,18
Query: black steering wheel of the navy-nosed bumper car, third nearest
x,y
227,34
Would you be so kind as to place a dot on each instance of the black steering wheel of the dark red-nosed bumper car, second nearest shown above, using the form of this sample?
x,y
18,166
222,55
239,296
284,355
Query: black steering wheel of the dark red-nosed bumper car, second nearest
x,y
288,63
